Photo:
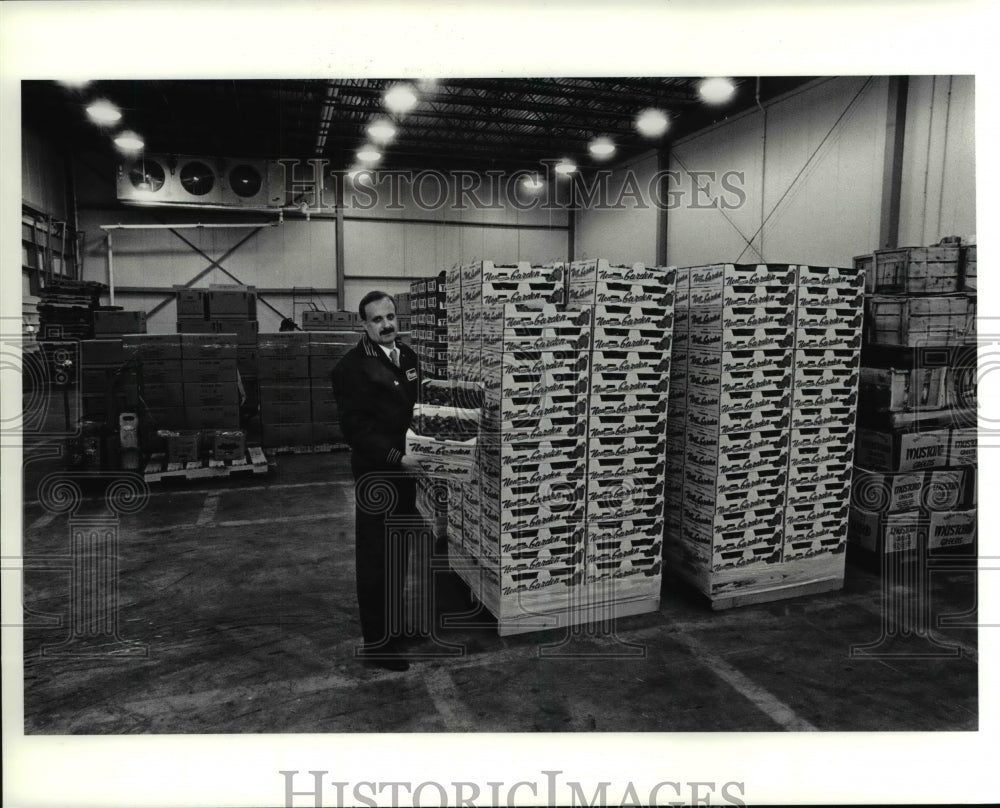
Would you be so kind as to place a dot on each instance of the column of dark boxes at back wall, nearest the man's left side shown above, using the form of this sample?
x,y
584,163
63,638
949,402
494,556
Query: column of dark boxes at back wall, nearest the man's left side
x,y
285,389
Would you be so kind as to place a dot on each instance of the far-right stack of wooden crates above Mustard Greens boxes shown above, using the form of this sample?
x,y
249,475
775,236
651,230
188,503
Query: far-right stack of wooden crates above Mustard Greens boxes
x,y
915,474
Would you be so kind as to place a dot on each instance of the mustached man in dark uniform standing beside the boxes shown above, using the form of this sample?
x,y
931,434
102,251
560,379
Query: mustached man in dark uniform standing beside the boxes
x,y
376,387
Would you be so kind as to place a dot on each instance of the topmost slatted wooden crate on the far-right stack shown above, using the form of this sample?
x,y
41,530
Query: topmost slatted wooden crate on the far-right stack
x,y
912,270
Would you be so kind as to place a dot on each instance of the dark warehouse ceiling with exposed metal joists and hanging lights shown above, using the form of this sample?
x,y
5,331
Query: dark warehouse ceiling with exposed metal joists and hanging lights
x,y
474,124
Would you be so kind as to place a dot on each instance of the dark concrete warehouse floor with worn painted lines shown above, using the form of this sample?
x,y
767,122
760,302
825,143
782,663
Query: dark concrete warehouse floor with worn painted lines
x,y
237,615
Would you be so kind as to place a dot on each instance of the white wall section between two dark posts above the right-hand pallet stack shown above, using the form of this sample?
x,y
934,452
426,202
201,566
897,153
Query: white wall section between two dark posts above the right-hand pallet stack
x,y
815,182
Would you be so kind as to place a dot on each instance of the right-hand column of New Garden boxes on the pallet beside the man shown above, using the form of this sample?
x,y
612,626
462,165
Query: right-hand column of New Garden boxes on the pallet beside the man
x,y
633,317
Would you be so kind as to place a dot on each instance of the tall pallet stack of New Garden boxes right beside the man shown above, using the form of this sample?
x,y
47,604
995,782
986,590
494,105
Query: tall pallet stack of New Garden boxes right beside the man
x,y
539,540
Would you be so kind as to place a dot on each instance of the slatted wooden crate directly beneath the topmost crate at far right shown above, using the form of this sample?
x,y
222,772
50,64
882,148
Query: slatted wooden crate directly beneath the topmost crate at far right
x,y
943,321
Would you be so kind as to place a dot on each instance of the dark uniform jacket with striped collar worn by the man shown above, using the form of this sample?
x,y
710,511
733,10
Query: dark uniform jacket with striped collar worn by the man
x,y
375,400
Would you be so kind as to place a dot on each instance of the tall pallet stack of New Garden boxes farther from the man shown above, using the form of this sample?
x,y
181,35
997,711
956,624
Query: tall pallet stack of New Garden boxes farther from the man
x,y
761,427
